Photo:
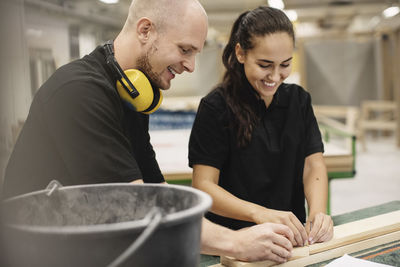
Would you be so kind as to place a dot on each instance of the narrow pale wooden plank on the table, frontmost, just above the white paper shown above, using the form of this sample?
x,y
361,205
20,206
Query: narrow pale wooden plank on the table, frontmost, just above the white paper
x,y
333,253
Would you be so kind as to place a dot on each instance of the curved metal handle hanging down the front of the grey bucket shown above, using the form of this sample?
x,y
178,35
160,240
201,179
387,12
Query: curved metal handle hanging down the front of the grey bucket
x,y
154,216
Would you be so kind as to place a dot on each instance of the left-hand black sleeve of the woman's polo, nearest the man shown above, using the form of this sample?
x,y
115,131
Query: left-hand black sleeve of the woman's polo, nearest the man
x,y
209,139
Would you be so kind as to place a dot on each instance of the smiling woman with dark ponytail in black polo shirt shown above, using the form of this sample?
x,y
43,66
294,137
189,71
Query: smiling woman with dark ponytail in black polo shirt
x,y
255,146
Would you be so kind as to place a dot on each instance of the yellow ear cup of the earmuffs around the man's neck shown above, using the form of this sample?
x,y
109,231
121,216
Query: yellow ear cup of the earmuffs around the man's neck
x,y
146,101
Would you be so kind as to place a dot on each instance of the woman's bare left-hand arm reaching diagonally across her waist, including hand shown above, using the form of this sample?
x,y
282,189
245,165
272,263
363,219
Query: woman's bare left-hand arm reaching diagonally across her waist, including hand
x,y
225,204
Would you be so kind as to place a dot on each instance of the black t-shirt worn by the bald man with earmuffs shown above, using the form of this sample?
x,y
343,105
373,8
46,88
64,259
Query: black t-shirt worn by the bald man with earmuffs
x,y
78,131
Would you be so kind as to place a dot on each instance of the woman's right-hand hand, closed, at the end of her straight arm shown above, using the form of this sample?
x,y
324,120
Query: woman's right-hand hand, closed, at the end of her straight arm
x,y
321,226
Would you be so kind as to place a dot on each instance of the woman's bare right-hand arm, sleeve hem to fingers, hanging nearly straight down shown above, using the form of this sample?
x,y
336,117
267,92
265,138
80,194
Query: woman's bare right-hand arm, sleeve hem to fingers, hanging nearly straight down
x,y
315,181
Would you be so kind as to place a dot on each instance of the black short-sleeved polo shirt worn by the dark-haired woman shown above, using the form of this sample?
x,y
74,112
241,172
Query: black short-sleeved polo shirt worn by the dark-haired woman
x,y
269,171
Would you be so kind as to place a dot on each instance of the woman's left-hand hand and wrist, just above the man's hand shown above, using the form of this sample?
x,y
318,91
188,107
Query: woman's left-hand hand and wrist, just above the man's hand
x,y
283,217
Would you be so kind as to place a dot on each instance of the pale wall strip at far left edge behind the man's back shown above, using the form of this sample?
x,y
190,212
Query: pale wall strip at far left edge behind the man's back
x,y
15,96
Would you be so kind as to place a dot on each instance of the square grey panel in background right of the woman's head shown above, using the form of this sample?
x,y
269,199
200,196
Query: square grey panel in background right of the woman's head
x,y
343,71
